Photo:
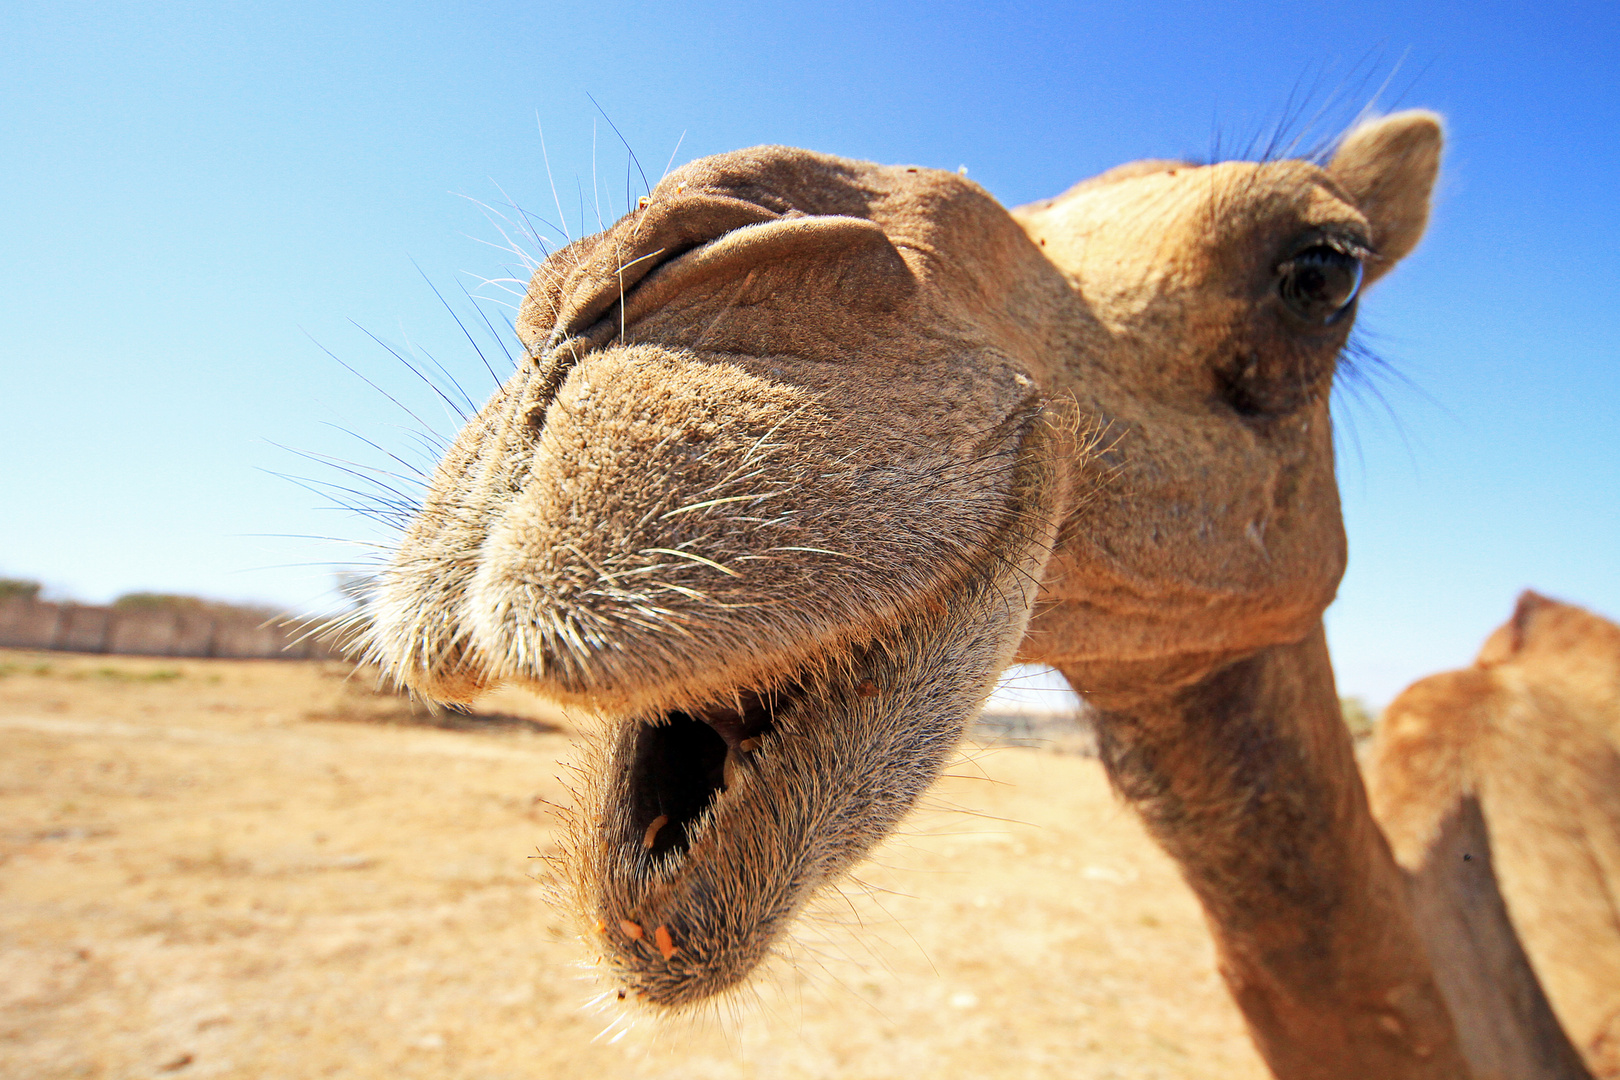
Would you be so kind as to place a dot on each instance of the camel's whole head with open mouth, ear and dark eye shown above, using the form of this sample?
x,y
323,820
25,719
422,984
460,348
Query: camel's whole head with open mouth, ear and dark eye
x,y
806,451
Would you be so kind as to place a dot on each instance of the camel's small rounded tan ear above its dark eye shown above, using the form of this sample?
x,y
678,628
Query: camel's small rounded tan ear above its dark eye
x,y
1389,168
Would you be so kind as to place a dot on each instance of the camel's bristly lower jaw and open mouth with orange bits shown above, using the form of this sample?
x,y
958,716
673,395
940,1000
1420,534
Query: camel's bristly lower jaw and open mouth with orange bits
x,y
710,828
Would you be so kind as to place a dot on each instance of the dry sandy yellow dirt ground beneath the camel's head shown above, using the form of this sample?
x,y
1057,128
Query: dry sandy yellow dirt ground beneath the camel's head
x,y
258,869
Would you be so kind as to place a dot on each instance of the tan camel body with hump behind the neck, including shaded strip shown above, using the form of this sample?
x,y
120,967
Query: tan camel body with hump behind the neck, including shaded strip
x,y
1499,789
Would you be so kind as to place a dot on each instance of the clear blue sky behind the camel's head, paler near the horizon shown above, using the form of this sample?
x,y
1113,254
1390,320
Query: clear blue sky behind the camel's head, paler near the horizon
x,y
192,193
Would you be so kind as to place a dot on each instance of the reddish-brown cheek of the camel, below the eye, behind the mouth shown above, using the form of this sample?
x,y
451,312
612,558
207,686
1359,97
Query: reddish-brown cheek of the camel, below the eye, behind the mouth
x,y
1209,542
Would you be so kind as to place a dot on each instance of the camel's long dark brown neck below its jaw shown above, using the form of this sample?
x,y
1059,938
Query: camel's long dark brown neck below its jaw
x,y
1250,781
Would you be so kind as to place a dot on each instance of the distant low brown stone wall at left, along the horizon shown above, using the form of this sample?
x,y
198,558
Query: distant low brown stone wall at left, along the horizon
x,y
203,631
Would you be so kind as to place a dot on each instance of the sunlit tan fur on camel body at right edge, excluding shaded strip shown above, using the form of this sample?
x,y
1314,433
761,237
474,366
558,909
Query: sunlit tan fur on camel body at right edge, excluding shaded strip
x,y
1533,734
